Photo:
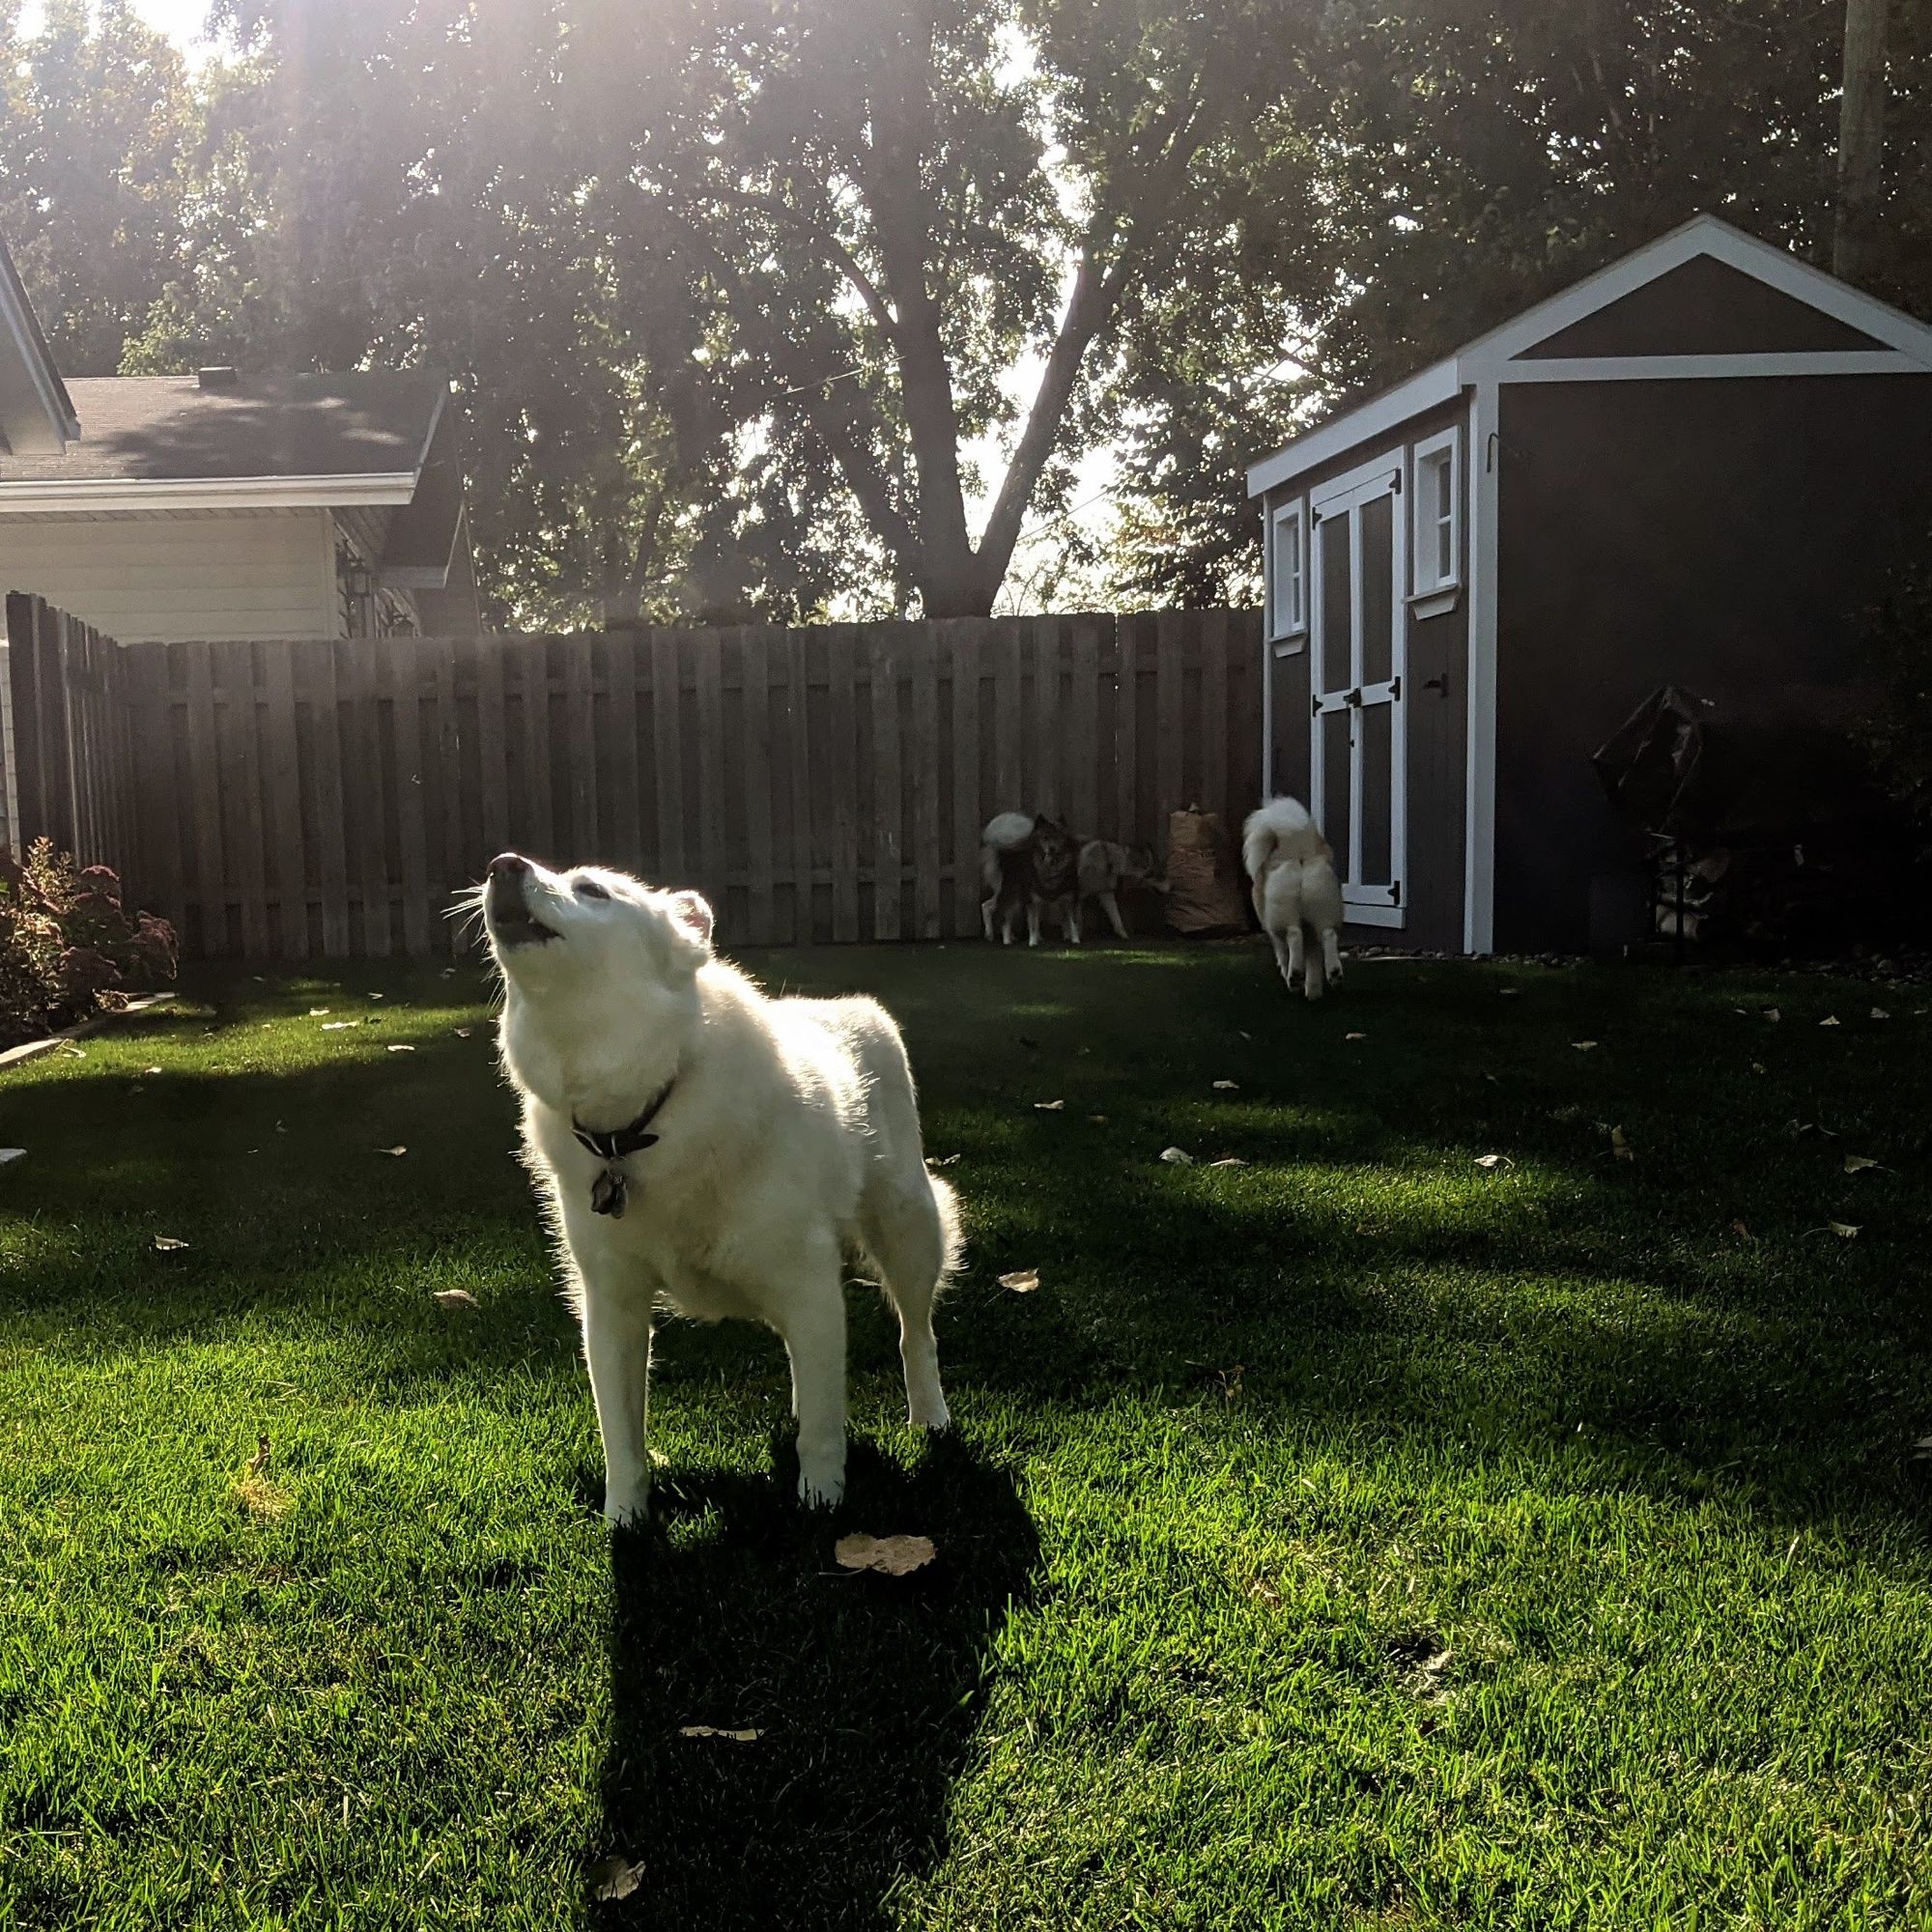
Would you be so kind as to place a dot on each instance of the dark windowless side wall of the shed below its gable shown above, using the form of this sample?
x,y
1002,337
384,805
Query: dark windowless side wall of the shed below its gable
x,y
1719,536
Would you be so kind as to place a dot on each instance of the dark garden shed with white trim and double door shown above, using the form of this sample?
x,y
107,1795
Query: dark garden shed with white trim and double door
x,y
1690,470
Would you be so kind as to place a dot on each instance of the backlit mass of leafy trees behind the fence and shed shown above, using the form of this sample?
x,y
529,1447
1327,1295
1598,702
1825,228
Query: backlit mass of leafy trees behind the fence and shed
x,y
793,308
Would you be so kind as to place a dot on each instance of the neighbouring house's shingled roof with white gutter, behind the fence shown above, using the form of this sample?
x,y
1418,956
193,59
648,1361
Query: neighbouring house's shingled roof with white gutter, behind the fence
x,y
285,440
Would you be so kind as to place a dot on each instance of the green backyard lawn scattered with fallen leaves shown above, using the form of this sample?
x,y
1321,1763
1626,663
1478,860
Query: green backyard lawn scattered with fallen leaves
x,y
1353,1539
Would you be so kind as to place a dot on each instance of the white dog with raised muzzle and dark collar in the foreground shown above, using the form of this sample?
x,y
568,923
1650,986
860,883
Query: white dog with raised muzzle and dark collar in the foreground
x,y
712,1151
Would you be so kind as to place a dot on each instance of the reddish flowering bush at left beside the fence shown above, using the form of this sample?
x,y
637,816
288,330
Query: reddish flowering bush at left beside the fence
x,y
69,948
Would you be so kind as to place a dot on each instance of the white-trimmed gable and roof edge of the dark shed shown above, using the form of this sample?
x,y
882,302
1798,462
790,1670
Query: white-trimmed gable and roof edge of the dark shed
x,y
1854,333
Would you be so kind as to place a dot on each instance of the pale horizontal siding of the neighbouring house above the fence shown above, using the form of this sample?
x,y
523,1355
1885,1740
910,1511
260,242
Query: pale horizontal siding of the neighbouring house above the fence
x,y
171,577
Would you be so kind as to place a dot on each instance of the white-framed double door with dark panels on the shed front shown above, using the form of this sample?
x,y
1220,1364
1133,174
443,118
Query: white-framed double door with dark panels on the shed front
x,y
1357,662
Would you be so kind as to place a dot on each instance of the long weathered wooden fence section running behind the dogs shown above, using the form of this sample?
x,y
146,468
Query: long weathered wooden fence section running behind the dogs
x,y
818,785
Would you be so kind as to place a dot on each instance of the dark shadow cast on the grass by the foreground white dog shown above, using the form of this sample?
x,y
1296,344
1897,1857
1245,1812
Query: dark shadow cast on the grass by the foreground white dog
x,y
865,1690
